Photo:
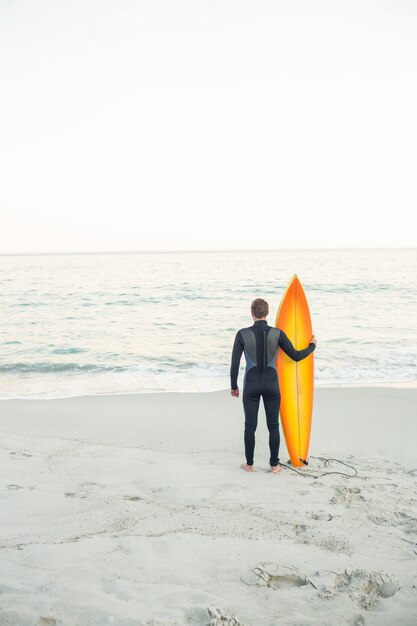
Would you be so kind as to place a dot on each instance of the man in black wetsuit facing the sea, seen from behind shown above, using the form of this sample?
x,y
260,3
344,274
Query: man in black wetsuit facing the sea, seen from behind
x,y
260,343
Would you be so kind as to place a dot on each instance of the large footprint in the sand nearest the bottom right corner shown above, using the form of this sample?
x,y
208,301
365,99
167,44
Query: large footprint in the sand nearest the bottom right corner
x,y
366,589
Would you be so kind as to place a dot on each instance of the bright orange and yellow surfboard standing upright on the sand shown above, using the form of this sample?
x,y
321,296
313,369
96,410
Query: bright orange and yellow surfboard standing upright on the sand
x,y
296,379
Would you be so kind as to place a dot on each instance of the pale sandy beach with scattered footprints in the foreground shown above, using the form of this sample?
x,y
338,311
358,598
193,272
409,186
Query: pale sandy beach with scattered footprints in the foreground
x,y
132,510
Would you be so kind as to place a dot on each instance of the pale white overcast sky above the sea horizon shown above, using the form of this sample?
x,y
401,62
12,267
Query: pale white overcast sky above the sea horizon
x,y
216,124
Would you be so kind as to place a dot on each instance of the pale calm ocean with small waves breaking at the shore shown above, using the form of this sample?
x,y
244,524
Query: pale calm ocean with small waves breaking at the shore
x,y
77,324
